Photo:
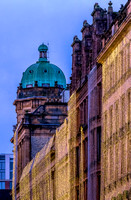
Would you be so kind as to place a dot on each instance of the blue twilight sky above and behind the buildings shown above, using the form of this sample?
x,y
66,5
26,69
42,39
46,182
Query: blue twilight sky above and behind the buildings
x,y
24,25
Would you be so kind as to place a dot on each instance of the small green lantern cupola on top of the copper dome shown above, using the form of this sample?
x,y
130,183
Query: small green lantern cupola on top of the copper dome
x,y
43,52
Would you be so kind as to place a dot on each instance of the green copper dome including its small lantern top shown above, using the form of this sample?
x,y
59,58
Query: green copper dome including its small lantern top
x,y
43,72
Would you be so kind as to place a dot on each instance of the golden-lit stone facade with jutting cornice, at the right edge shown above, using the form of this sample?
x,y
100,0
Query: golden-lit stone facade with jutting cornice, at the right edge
x,y
116,107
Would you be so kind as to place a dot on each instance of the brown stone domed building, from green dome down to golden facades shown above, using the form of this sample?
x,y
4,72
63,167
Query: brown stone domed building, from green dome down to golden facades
x,y
39,108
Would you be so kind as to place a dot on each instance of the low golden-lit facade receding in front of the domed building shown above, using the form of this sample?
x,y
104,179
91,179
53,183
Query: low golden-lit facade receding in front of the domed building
x,y
47,175
